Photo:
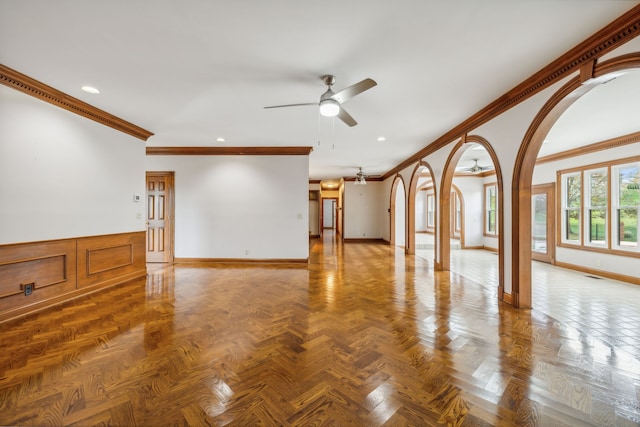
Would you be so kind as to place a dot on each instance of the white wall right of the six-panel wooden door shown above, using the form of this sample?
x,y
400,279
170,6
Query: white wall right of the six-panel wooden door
x,y
252,207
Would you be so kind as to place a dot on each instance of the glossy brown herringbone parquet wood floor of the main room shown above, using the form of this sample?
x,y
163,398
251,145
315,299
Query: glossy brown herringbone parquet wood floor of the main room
x,y
363,335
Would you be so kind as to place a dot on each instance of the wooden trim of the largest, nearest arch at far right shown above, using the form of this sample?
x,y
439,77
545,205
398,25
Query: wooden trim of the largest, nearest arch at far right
x,y
525,163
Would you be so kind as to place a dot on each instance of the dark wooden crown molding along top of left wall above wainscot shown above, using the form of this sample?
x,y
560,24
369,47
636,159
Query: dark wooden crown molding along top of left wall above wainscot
x,y
26,84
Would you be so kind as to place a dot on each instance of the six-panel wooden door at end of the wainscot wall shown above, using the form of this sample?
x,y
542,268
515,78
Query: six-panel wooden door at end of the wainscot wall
x,y
160,216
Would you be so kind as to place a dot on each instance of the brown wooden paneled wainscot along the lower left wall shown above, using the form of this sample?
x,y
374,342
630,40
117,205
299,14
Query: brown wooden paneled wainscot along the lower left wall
x,y
36,275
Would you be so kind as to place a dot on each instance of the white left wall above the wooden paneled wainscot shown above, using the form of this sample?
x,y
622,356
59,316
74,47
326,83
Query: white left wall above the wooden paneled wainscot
x,y
64,176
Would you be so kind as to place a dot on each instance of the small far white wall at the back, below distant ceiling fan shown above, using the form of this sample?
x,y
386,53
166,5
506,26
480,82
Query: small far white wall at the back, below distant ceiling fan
x,y
363,210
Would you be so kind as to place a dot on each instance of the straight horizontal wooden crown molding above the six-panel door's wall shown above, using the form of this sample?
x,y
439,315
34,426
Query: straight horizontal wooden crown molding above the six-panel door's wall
x,y
229,151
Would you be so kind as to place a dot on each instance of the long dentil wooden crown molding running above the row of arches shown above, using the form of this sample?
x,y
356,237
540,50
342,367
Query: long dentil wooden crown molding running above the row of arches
x,y
609,38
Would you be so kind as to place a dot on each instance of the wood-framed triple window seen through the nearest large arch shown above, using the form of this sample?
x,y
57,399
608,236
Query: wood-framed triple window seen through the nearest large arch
x,y
601,205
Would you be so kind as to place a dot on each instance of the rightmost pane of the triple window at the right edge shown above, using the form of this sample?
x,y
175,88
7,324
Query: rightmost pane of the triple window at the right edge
x,y
626,204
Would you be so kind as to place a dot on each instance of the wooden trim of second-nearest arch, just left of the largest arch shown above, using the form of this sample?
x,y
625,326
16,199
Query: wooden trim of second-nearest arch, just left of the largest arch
x,y
445,205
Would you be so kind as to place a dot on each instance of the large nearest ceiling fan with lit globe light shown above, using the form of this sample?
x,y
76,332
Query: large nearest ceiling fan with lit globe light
x,y
331,103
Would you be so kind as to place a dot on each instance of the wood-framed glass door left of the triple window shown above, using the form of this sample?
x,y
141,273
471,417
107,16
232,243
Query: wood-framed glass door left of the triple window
x,y
542,223
